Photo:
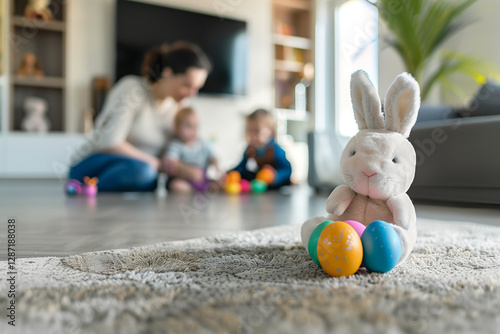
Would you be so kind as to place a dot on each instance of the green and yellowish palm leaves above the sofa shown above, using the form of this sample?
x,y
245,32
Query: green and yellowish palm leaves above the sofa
x,y
418,30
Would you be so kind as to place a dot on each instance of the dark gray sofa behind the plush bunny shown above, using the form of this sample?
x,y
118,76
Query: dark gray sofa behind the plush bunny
x,y
458,152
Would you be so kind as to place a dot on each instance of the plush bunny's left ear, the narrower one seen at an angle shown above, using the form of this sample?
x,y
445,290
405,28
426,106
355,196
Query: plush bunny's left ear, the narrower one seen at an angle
x,y
365,102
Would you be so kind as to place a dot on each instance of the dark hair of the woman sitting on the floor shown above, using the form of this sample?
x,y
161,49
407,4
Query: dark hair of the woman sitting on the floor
x,y
179,56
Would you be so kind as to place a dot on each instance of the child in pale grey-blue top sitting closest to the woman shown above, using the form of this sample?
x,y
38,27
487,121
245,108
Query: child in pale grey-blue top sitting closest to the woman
x,y
187,148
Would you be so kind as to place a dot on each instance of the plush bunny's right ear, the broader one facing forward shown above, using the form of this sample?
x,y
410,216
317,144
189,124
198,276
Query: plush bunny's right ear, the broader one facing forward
x,y
402,103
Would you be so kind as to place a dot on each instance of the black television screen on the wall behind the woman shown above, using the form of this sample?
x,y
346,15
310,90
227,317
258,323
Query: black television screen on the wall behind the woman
x,y
140,26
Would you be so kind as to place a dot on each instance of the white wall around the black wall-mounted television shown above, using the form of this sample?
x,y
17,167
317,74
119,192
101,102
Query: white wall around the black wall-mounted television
x,y
91,53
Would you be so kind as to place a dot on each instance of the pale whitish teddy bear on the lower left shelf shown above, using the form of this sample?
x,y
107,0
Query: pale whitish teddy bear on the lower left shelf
x,y
35,120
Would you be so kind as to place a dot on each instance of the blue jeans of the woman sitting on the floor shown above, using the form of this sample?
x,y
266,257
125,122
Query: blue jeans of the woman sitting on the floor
x,y
116,173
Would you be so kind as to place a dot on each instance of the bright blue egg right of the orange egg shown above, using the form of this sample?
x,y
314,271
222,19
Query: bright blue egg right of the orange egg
x,y
381,247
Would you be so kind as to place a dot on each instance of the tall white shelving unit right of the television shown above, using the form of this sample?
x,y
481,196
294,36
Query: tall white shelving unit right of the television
x,y
293,43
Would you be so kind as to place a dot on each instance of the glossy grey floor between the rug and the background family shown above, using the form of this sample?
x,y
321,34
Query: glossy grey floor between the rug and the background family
x,y
48,223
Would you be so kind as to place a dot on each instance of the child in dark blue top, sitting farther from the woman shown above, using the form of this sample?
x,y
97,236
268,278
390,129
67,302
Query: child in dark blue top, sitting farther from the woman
x,y
262,151
